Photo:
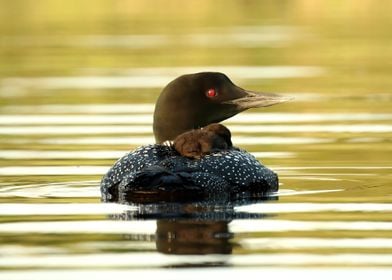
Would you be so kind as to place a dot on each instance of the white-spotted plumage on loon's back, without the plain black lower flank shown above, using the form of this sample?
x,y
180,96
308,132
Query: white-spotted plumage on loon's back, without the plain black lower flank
x,y
221,172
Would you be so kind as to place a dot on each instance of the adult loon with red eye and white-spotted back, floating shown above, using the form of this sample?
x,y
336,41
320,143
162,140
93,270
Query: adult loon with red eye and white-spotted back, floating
x,y
163,171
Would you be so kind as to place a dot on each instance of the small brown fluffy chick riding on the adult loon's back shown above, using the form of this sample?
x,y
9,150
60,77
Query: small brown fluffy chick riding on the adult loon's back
x,y
199,142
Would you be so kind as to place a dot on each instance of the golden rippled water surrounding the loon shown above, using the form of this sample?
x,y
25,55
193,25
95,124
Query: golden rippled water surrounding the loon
x,y
77,91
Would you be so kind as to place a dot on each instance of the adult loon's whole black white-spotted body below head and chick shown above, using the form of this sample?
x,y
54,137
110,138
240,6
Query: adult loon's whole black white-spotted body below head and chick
x,y
160,171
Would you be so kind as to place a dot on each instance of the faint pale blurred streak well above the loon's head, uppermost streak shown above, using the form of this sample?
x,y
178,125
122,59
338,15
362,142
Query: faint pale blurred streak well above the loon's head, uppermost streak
x,y
239,36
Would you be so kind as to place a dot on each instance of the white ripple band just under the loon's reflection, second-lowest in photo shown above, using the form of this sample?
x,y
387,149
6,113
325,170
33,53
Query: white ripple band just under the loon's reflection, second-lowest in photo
x,y
159,260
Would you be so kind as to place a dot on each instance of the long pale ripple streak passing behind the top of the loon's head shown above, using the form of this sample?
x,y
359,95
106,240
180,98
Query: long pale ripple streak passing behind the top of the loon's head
x,y
158,77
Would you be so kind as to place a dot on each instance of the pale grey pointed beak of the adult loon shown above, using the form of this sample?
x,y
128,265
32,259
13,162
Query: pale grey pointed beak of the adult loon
x,y
252,99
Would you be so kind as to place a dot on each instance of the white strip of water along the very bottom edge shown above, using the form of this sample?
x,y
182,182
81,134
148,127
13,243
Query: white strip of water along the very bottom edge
x,y
205,273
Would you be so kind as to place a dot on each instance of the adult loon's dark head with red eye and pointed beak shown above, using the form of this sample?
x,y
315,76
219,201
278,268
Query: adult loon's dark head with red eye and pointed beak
x,y
196,100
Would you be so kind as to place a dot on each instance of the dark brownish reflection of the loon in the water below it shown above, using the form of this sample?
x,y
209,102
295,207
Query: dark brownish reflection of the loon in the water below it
x,y
196,228
